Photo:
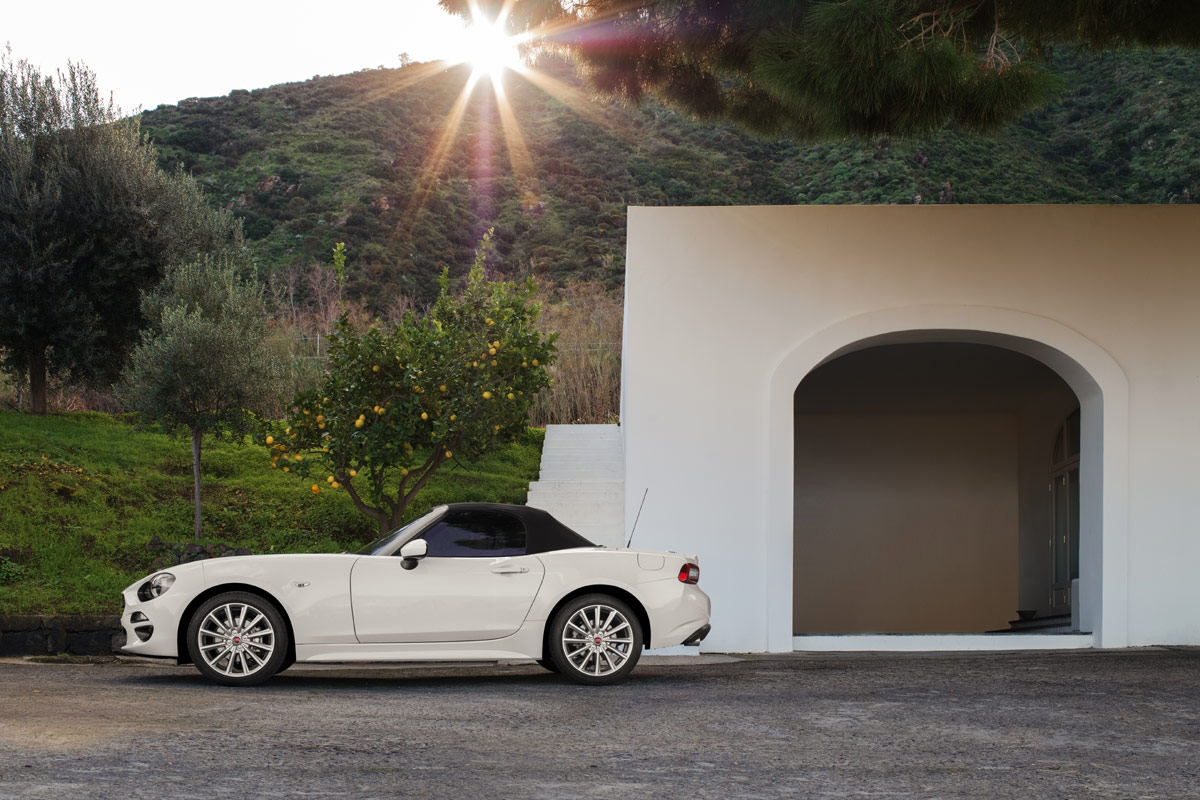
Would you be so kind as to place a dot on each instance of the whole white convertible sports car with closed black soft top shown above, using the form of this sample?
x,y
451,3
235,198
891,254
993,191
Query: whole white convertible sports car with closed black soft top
x,y
466,582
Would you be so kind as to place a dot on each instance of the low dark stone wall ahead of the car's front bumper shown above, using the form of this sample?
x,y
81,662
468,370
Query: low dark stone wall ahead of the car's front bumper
x,y
39,635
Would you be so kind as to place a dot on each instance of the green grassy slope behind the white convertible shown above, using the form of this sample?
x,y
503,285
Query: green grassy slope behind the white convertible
x,y
82,495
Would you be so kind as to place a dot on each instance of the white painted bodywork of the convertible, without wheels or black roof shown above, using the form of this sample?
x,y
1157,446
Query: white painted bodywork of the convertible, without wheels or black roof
x,y
355,609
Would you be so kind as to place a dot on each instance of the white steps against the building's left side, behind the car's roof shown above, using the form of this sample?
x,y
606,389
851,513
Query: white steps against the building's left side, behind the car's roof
x,y
583,482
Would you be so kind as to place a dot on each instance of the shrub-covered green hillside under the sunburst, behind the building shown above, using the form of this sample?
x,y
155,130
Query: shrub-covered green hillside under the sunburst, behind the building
x,y
340,159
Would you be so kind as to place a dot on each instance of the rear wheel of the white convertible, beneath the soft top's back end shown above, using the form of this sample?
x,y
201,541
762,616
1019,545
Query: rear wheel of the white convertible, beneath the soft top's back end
x,y
574,647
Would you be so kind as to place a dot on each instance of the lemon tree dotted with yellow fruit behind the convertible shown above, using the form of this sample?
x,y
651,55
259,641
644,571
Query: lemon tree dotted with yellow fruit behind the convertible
x,y
399,404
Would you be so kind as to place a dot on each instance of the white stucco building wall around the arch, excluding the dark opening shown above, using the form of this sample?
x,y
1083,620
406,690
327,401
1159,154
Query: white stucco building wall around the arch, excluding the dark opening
x,y
729,308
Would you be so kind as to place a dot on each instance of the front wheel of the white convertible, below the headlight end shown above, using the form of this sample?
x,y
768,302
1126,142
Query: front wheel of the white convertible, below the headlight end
x,y
247,633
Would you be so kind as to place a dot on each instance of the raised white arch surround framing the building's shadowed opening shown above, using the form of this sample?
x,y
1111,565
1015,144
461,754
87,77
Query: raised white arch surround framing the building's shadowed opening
x,y
1096,380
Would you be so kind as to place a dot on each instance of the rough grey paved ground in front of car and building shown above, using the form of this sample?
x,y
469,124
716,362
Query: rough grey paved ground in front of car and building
x,y
1075,725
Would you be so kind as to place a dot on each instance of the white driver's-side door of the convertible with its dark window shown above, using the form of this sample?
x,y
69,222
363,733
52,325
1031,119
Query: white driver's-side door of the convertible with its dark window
x,y
475,585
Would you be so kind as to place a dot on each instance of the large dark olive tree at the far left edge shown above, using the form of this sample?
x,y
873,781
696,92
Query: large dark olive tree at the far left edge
x,y
88,220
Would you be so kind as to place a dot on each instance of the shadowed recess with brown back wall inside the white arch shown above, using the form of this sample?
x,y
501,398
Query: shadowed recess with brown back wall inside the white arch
x,y
921,492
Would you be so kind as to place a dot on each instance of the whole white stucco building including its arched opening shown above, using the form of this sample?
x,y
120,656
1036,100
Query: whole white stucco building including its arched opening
x,y
917,420
